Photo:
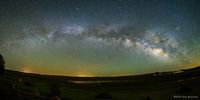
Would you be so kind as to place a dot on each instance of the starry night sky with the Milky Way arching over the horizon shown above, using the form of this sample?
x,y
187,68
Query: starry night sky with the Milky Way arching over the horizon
x,y
99,37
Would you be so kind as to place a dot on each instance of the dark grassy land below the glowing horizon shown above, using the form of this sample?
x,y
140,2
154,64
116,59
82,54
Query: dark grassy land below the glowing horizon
x,y
177,85
